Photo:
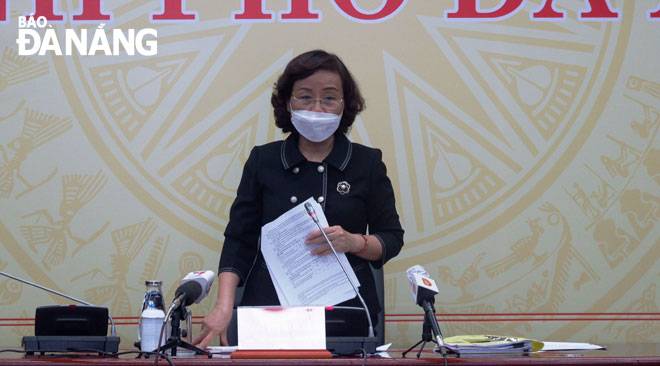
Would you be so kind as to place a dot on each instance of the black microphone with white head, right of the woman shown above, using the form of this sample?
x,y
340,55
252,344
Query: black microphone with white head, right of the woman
x,y
423,291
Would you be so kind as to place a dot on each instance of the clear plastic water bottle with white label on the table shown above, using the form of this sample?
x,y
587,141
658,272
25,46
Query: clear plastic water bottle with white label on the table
x,y
152,317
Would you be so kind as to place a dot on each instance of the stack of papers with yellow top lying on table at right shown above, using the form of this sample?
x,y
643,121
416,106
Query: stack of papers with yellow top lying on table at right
x,y
475,344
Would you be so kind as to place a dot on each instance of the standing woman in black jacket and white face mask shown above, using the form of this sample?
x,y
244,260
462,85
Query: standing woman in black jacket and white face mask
x,y
316,100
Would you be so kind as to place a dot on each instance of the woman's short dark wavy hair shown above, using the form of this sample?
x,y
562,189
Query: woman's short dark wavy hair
x,y
303,66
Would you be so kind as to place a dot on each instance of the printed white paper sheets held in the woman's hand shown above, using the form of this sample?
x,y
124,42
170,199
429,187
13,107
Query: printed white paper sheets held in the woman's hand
x,y
299,277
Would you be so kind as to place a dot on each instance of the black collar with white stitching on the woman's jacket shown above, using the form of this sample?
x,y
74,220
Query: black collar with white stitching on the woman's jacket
x,y
338,157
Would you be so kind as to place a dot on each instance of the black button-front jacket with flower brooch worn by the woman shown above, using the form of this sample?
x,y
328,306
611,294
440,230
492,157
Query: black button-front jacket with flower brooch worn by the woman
x,y
277,177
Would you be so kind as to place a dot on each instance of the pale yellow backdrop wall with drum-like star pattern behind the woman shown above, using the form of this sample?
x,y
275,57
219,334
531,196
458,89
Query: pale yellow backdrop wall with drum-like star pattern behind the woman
x,y
524,156
